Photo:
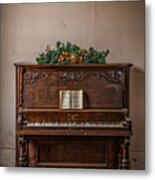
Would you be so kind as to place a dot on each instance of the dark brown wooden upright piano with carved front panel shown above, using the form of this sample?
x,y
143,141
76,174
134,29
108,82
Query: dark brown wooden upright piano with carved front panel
x,y
96,136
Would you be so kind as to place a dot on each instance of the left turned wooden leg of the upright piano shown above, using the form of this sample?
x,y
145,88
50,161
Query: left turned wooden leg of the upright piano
x,y
22,152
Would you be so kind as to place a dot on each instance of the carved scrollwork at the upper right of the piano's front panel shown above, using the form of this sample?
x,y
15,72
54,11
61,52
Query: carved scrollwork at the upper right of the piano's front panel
x,y
112,76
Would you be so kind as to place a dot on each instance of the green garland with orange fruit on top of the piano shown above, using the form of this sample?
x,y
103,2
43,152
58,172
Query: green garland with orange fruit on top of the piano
x,y
71,53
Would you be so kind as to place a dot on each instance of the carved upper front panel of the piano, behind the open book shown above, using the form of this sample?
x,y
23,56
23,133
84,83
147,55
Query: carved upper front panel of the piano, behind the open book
x,y
102,89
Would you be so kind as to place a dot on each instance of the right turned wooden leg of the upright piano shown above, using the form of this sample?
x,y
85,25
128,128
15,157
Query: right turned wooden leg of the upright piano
x,y
125,153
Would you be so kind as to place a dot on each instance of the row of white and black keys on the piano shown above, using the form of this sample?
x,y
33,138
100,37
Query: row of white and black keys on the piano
x,y
120,124
